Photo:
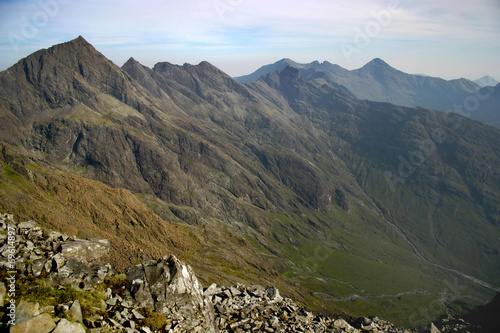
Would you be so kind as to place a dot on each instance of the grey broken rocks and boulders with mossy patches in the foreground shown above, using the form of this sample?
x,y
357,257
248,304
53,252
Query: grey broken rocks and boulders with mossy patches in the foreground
x,y
161,295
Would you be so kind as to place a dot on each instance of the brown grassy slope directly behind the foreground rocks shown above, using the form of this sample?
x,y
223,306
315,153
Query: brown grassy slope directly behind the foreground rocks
x,y
89,209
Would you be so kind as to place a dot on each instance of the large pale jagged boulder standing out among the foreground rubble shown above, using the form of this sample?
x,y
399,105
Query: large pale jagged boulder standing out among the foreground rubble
x,y
165,284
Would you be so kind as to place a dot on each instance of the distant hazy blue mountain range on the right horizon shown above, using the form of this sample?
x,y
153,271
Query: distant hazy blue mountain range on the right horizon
x,y
377,81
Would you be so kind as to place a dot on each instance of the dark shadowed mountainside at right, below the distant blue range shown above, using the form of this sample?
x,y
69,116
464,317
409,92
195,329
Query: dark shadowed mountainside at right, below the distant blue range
x,y
446,153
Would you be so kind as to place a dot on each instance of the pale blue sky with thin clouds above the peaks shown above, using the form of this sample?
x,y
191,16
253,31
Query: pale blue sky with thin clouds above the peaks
x,y
444,38
